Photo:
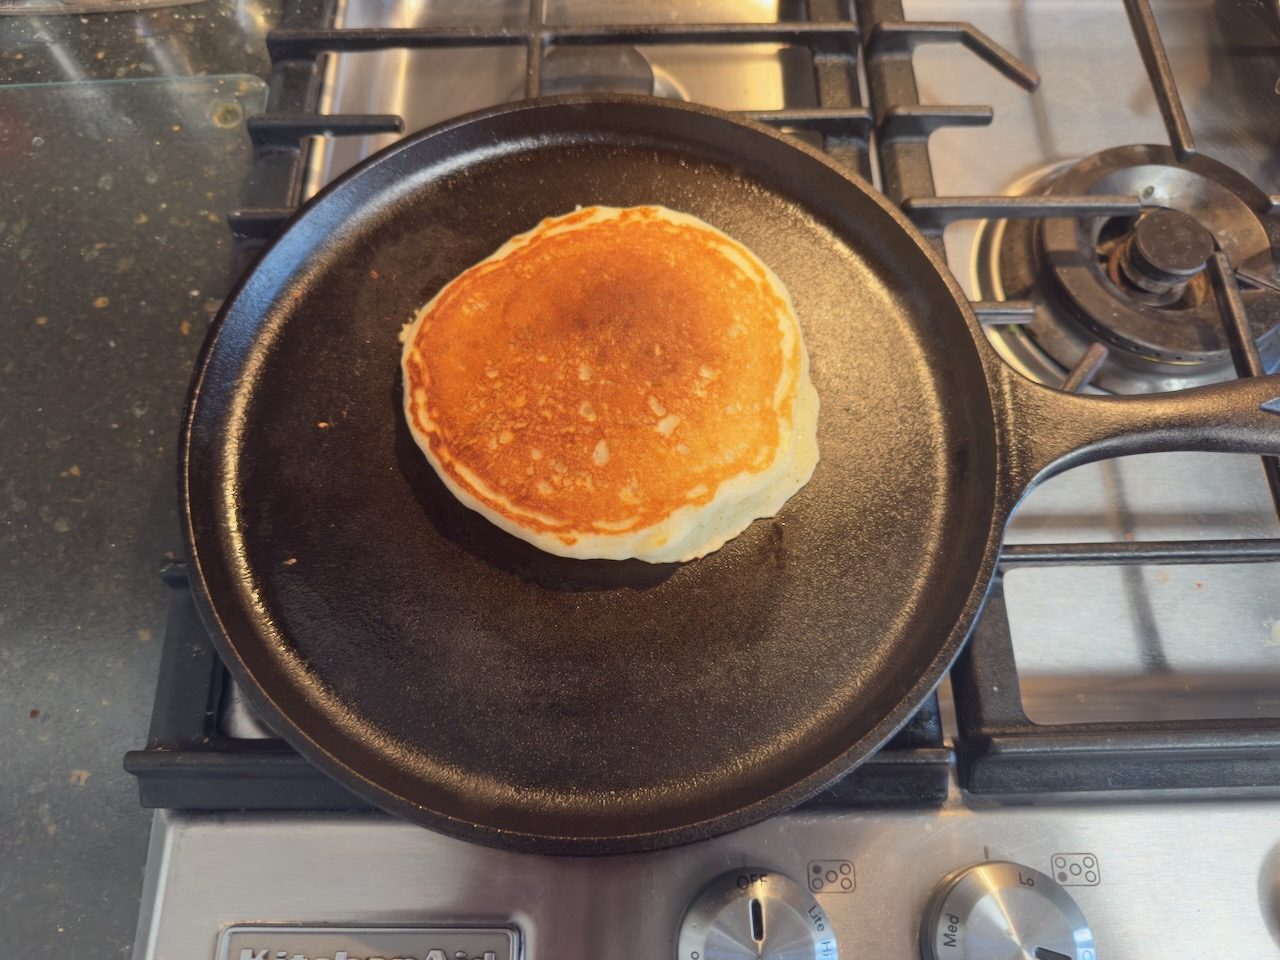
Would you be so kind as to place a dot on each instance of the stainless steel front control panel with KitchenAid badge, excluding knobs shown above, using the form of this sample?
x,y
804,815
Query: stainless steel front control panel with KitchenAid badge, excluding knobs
x,y
1194,881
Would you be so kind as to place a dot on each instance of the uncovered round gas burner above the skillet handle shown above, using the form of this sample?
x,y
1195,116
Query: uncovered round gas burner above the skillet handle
x,y
1136,285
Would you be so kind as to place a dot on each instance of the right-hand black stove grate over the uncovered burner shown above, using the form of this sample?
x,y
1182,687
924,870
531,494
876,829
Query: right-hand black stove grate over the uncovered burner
x,y
1000,751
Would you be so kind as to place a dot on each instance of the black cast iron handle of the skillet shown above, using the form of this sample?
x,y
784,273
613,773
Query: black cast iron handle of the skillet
x,y
1049,431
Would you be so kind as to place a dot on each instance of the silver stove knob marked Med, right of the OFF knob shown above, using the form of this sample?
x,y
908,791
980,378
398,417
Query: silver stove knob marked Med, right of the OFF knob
x,y
998,911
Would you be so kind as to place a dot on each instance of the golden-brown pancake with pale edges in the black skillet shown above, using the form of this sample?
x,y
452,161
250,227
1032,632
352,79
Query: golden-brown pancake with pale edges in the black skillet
x,y
615,383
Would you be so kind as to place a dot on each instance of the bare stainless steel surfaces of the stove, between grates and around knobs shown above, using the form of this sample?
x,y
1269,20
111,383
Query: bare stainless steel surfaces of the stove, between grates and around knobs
x,y
1146,880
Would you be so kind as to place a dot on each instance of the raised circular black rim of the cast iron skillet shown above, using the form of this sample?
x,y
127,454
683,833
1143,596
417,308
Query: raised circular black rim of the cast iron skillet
x,y
300,739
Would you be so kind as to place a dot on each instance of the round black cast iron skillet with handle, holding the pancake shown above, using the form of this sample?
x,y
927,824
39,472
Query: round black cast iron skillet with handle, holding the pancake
x,y
470,683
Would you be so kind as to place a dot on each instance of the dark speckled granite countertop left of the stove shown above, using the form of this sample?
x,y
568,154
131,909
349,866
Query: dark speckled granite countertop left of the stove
x,y
122,147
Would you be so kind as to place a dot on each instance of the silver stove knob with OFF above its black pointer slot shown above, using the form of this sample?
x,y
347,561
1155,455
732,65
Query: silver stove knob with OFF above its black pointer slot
x,y
756,913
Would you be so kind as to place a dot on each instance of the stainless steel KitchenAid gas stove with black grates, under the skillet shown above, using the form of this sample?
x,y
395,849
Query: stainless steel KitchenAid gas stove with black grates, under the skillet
x,y
1100,776
